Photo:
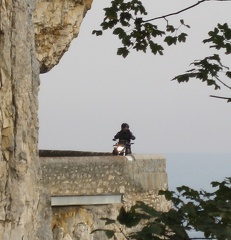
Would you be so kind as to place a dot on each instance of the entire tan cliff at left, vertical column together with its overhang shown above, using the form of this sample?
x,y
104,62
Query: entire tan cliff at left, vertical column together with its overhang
x,y
25,211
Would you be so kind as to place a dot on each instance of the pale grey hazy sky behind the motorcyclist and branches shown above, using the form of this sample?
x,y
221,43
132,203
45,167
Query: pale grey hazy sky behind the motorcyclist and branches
x,y
86,97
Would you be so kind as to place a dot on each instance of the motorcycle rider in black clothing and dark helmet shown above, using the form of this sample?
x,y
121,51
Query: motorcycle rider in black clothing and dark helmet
x,y
125,135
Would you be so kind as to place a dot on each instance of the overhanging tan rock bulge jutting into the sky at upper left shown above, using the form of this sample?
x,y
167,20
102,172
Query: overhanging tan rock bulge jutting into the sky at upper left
x,y
57,23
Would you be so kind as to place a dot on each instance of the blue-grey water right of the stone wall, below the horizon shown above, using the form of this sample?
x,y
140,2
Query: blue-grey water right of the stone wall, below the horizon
x,y
197,170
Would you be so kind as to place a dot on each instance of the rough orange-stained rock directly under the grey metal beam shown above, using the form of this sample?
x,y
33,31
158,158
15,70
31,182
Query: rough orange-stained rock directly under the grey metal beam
x,y
76,223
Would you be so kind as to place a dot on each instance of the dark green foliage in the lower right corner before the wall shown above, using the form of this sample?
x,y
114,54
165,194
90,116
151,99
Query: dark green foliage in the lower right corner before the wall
x,y
200,211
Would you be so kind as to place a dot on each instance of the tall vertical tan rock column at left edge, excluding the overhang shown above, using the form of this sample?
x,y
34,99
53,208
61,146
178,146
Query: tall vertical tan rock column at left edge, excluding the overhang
x,y
24,206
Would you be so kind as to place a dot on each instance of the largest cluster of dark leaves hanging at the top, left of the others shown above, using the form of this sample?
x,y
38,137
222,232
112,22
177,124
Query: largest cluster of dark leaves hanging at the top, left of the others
x,y
126,20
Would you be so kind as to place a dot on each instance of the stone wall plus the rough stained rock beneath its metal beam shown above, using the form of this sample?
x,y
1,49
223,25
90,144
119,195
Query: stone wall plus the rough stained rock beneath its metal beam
x,y
135,178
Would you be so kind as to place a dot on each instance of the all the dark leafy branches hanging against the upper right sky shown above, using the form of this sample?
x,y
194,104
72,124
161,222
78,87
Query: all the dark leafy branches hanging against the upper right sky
x,y
126,19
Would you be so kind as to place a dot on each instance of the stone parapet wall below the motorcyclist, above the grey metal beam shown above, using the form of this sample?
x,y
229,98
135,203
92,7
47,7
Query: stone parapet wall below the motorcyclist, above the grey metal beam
x,y
103,174
